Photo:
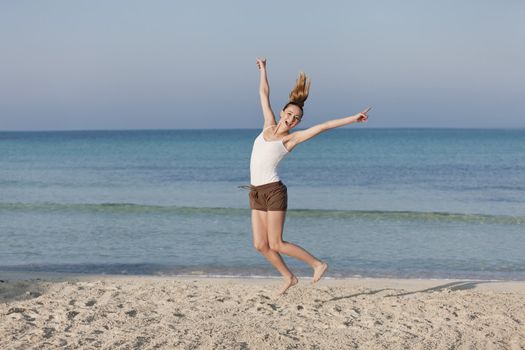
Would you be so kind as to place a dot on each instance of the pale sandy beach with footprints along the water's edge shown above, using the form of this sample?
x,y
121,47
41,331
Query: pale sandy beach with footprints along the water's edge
x,y
45,311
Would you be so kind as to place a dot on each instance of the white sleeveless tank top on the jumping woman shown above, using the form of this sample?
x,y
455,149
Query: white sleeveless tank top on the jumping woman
x,y
265,159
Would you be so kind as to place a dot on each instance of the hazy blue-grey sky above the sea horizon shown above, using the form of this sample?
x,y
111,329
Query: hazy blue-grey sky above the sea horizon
x,y
70,65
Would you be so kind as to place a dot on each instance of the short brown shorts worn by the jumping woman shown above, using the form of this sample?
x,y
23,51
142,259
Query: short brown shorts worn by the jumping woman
x,y
272,196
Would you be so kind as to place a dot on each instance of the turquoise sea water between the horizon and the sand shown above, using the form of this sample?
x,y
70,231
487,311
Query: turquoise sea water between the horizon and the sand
x,y
372,202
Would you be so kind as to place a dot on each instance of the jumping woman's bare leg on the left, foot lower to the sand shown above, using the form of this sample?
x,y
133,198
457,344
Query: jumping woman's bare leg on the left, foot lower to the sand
x,y
260,242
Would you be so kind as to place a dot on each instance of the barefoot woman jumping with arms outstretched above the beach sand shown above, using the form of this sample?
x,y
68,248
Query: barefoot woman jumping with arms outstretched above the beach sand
x,y
268,194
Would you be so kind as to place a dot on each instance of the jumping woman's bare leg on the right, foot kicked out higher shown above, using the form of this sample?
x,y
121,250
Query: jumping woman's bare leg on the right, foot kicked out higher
x,y
275,240
